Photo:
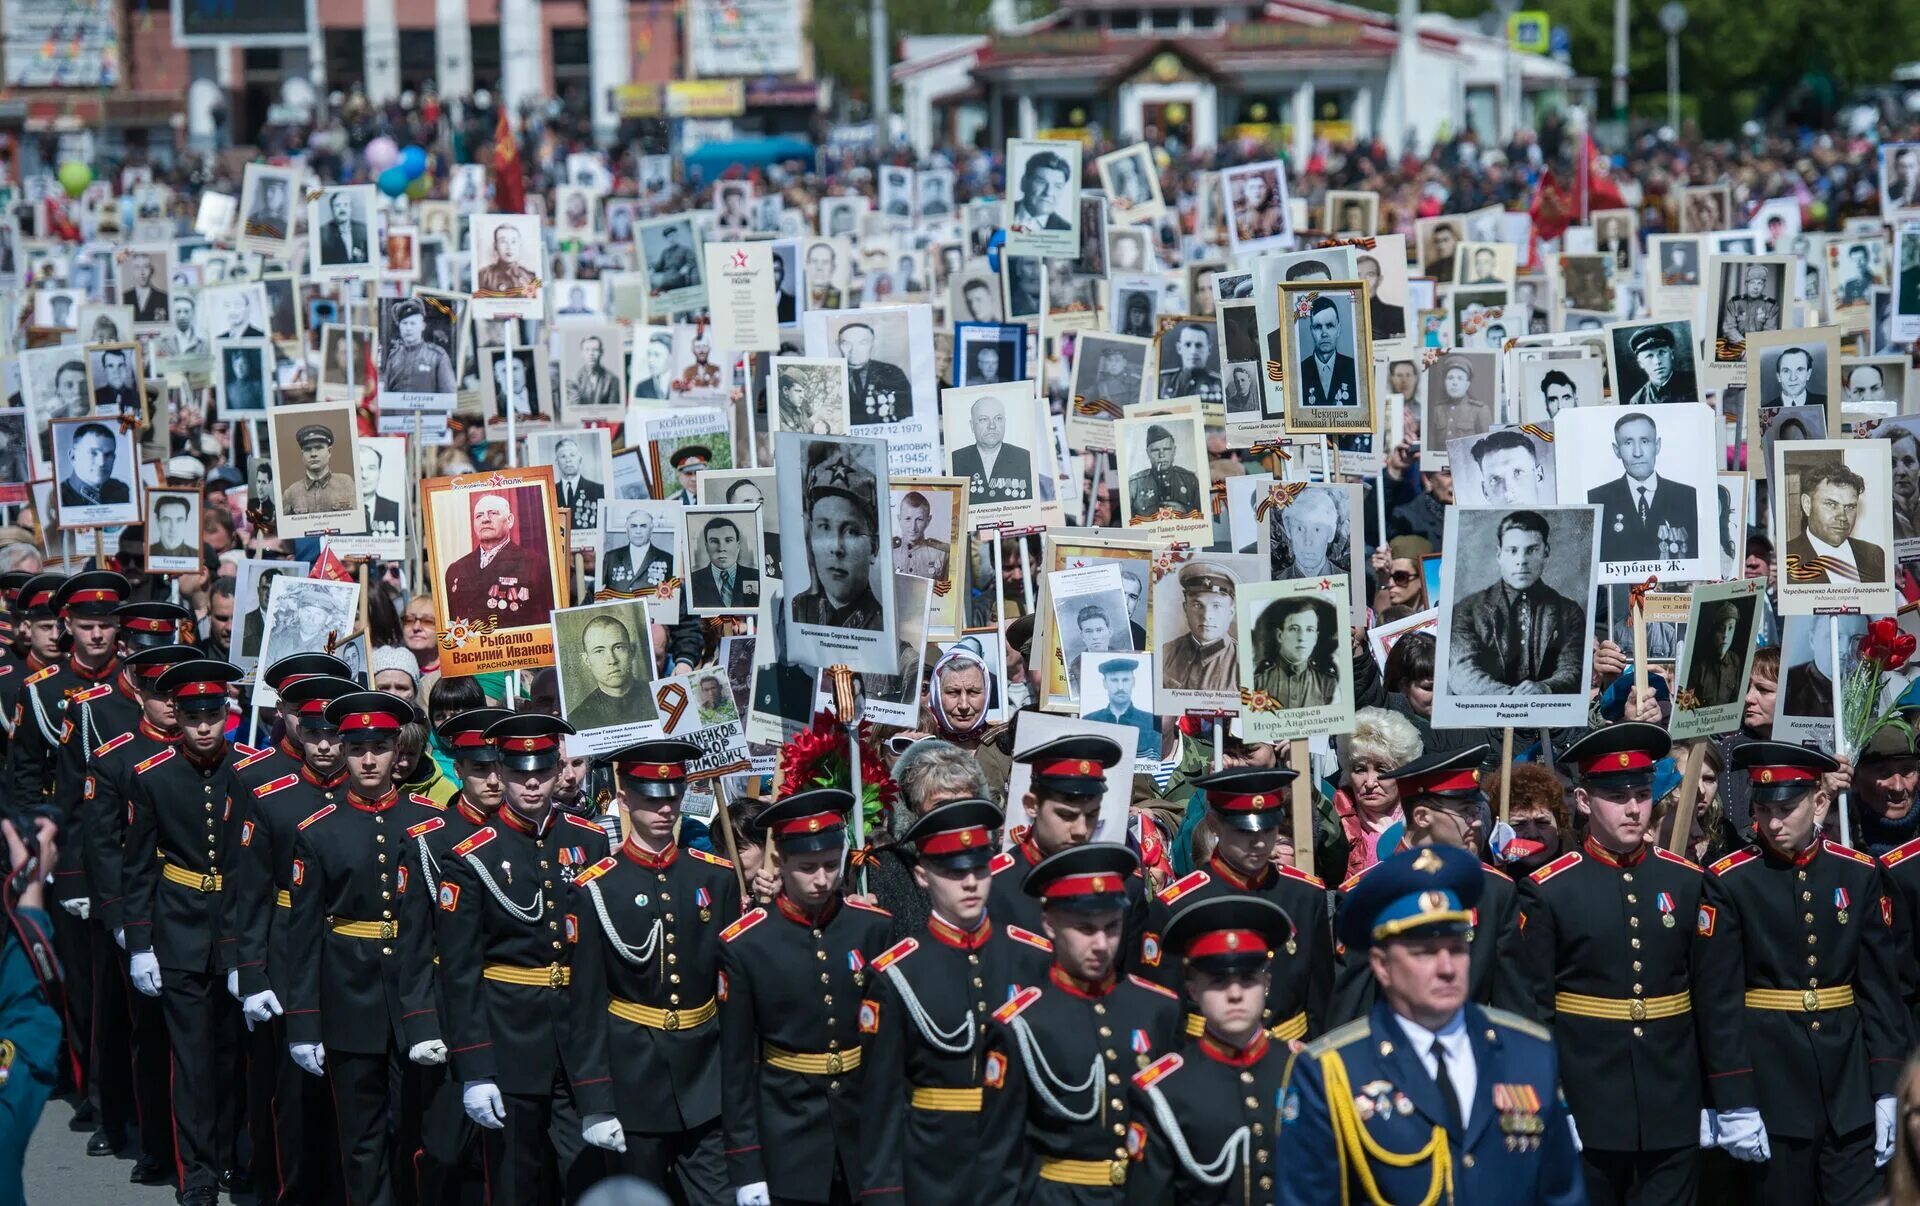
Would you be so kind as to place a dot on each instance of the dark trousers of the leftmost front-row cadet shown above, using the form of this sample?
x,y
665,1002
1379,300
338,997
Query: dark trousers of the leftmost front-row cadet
x,y
206,1117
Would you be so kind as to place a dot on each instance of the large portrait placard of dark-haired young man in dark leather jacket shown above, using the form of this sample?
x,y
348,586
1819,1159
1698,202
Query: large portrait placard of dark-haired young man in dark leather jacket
x,y
1502,566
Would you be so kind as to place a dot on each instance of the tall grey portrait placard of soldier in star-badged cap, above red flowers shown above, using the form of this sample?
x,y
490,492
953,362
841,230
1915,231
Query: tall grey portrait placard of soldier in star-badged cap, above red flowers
x,y
838,602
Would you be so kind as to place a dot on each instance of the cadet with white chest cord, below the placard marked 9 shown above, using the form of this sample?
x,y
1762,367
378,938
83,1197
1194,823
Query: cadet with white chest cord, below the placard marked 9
x,y
646,1042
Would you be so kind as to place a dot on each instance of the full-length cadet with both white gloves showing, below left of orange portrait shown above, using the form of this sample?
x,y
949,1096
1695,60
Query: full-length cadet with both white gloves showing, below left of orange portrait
x,y
358,938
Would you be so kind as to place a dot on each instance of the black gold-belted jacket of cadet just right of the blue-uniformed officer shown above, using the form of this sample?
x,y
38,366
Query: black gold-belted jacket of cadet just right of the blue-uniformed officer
x,y
1621,932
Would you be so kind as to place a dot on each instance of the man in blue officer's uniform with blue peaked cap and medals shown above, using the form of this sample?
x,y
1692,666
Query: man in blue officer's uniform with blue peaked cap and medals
x,y
1403,1105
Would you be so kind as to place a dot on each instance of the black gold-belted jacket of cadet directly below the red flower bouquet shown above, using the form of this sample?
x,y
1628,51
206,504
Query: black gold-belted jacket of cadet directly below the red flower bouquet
x,y
792,986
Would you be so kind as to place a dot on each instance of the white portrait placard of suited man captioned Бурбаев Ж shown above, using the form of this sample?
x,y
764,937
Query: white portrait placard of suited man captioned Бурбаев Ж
x,y
1658,487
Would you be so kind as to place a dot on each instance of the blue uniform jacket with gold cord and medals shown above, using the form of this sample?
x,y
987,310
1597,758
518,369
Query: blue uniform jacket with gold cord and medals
x,y
1518,1146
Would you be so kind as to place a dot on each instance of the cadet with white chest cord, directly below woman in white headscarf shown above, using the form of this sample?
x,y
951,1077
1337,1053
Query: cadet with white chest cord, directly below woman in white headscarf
x,y
926,1013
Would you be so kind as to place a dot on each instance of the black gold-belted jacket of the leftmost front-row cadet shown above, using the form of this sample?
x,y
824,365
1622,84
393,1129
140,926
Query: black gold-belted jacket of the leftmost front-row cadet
x,y
181,825
